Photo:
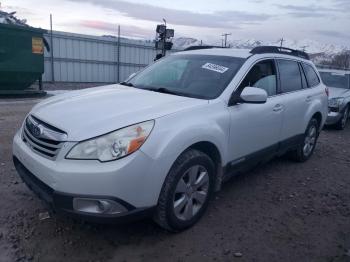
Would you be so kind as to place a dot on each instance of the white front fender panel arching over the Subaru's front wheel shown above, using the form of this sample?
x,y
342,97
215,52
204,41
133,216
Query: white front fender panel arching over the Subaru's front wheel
x,y
173,134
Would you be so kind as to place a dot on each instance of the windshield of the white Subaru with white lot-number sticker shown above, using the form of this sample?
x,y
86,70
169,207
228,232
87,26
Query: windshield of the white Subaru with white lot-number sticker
x,y
199,76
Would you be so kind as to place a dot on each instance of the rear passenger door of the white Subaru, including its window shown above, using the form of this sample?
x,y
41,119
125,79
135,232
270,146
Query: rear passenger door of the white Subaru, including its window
x,y
295,98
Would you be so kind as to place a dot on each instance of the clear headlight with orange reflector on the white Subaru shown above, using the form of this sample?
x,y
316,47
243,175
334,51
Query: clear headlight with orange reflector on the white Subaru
x,y
113,145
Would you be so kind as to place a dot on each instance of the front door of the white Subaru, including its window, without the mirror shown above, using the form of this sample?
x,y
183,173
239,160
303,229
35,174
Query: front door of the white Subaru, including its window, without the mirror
x,y
255,128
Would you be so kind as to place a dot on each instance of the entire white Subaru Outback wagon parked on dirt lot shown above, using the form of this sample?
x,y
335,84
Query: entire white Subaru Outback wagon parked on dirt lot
x,y
162,142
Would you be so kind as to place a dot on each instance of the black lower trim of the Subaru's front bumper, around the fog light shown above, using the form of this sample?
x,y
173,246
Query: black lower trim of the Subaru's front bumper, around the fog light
x,y
63,202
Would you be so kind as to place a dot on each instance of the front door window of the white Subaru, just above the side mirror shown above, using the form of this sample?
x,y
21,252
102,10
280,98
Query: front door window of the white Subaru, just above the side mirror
x,y
262,75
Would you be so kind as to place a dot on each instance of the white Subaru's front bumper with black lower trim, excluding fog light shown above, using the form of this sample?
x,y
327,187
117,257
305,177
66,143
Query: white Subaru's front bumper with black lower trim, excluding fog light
x,y
134,181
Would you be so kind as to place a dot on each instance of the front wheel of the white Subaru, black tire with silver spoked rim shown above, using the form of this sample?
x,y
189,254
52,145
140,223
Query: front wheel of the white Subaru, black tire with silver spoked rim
x,y
190,179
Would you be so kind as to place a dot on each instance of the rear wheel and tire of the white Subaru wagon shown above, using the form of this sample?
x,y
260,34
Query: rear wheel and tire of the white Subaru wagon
x,y
305,150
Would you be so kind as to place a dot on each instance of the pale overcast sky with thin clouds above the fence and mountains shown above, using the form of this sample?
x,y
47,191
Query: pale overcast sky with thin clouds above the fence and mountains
x,y
327,21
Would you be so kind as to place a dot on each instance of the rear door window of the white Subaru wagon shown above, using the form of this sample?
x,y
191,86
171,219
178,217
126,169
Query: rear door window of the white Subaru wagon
x,y
289,75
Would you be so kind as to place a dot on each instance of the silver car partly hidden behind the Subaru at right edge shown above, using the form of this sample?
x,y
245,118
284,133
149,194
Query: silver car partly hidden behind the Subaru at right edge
x,y
338,82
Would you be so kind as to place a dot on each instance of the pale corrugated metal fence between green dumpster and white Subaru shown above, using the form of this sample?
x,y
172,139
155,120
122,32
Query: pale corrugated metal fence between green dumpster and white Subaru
x,y
84,58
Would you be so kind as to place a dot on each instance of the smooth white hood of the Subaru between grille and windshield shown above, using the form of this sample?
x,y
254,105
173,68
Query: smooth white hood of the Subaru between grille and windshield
x,y
95,111
